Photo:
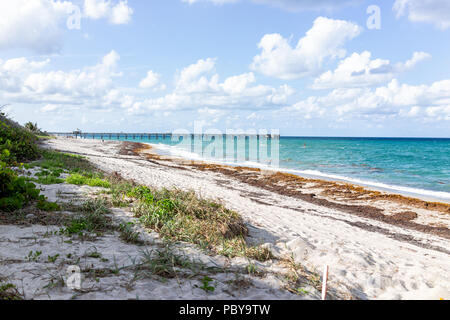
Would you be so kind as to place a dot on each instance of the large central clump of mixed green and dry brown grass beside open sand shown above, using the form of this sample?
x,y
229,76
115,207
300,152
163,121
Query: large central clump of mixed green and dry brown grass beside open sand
x,y
182,216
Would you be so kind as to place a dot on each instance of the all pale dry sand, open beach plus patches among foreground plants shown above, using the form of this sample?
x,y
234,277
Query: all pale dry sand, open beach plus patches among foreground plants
x,y
370,255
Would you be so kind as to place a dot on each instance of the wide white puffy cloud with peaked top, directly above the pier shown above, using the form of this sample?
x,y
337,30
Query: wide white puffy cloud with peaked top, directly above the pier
x,y
197,86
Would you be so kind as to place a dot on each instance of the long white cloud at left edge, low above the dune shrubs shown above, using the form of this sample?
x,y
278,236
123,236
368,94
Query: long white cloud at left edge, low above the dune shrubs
x,y
24,81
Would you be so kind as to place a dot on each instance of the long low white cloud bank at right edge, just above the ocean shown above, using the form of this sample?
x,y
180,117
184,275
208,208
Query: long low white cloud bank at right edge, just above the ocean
x,y
393,100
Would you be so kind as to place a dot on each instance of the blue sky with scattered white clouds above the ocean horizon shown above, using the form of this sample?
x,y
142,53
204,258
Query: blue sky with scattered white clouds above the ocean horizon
x,y
307,68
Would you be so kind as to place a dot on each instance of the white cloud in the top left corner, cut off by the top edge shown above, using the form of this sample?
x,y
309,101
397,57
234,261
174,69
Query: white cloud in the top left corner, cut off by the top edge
x,y
39,25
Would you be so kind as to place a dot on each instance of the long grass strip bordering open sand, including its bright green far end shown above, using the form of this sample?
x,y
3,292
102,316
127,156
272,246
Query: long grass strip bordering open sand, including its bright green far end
x,y
177,215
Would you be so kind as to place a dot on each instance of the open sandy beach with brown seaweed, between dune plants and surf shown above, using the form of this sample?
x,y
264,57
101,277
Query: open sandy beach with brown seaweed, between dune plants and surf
x,y
378,246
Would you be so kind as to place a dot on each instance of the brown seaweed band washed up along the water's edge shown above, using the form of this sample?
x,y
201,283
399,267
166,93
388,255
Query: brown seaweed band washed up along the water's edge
x,y
330,188
